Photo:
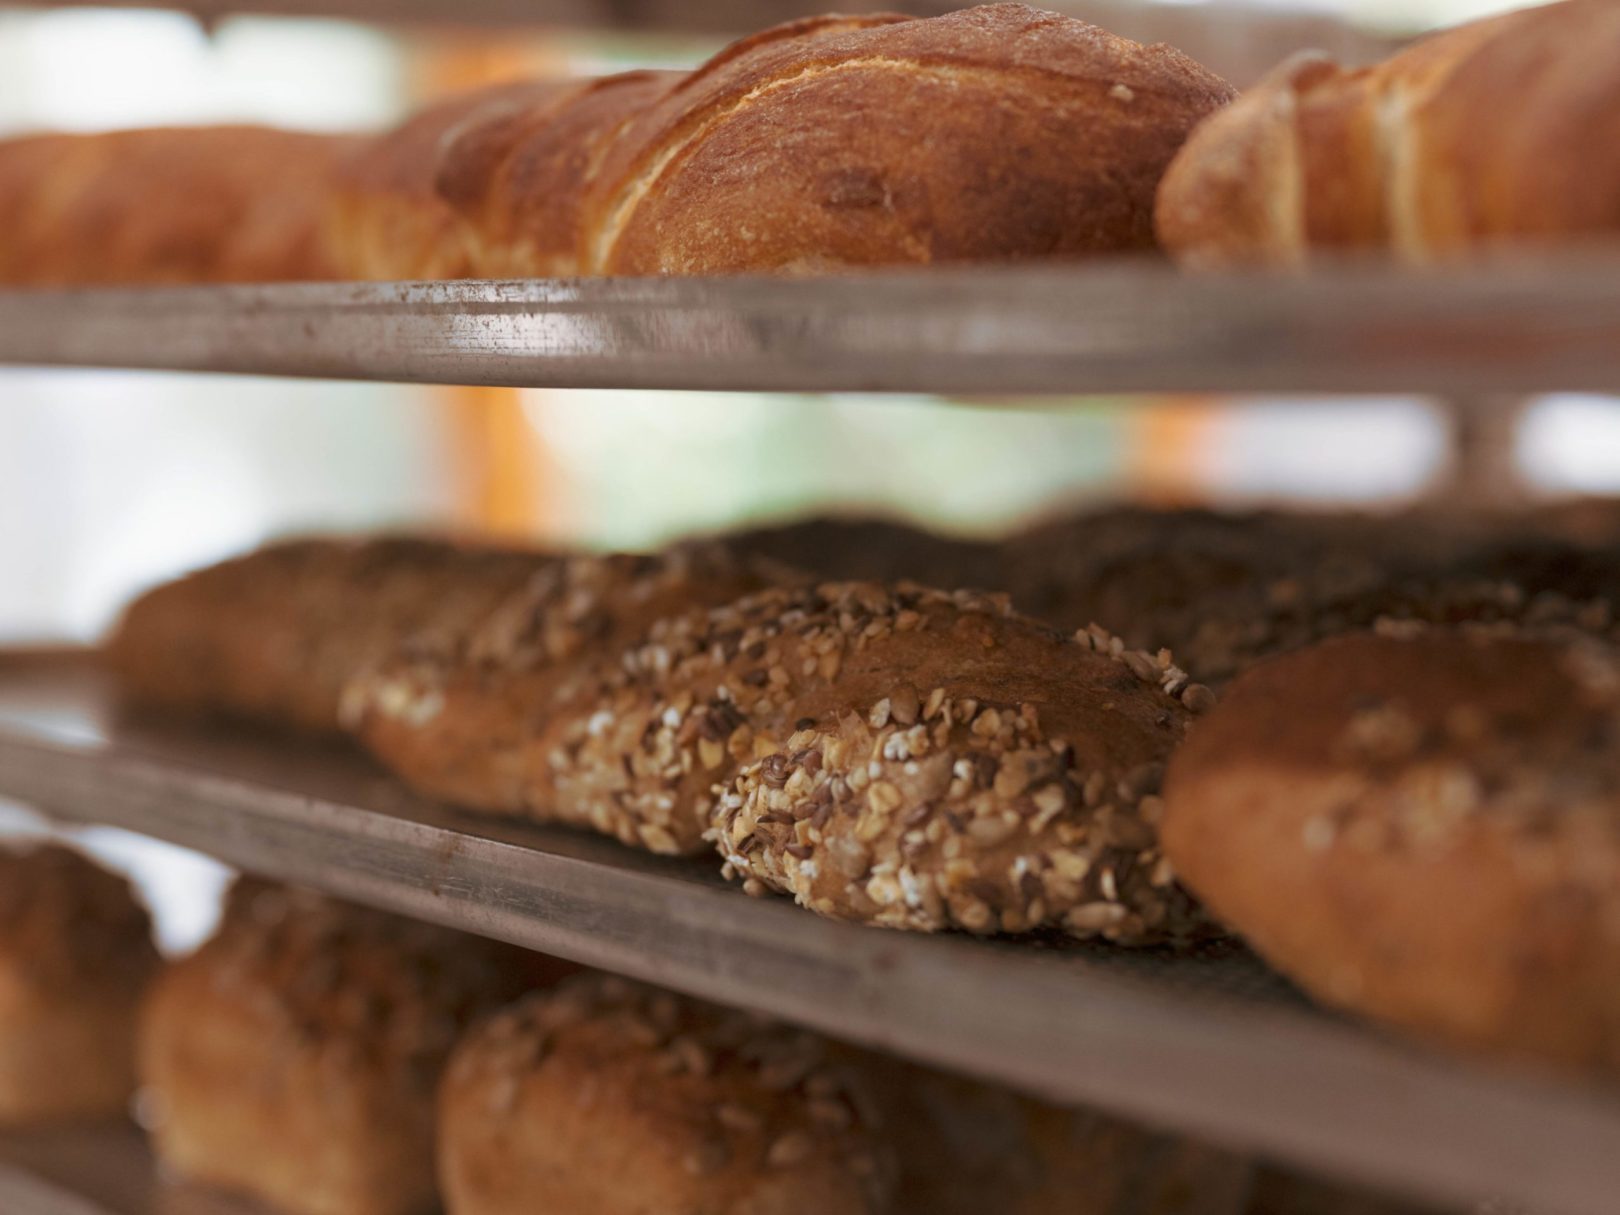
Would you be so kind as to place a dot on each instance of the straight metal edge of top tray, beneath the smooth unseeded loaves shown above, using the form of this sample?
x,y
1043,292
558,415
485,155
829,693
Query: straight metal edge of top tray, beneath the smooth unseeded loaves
x,y
1111,328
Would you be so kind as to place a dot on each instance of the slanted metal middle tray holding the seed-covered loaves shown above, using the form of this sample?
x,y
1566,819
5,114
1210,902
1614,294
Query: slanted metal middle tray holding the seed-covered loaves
x,y
1213,1046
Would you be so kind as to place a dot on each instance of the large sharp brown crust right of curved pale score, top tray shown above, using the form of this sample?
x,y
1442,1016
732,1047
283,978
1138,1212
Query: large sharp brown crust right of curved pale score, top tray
x,y
1007,134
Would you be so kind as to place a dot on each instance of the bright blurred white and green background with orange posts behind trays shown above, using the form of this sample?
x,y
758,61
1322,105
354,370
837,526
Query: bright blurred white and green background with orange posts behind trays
x,y
114,480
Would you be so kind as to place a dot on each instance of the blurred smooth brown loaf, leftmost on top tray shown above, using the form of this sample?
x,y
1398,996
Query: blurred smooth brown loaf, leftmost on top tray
x,y
166,207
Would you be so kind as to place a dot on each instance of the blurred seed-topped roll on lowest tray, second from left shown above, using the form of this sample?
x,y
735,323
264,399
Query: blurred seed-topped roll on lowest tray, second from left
x,y
297,1054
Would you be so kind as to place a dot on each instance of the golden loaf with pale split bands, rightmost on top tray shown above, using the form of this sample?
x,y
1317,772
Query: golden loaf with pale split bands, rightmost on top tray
x,y
1493,134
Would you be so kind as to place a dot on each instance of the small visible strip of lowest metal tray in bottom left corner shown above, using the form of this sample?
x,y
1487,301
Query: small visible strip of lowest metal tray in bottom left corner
x,y
96,1170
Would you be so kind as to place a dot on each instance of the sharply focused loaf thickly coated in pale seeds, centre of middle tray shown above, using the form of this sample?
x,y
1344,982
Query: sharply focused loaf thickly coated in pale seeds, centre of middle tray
x,y
903,757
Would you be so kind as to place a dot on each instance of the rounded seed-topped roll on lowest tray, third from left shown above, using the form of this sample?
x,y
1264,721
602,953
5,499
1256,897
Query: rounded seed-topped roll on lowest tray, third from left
x,y
608,1098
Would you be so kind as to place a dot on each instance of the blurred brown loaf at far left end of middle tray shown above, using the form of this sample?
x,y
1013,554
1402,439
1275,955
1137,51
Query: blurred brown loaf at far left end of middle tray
x,y
278,636
